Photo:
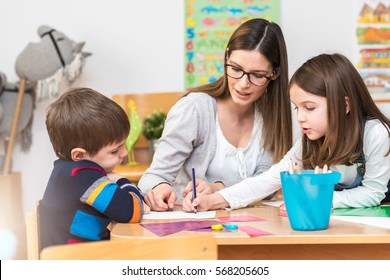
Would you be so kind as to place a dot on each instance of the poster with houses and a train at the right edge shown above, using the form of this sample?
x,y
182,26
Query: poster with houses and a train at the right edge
x,y
373,51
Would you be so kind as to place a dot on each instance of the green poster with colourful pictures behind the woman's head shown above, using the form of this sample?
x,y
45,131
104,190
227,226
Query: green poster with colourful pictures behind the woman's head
x,y
208,27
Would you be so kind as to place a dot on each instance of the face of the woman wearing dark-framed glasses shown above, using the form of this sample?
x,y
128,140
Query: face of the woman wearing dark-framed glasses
x,y
242,91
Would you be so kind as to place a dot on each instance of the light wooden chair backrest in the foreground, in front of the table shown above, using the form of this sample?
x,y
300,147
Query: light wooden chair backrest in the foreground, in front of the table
x,y
196,247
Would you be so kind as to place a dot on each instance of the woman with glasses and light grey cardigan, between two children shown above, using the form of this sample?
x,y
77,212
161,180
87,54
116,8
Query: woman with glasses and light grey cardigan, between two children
x,y
230,129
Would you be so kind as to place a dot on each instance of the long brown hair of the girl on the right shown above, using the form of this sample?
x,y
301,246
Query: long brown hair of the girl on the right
x,y
334,77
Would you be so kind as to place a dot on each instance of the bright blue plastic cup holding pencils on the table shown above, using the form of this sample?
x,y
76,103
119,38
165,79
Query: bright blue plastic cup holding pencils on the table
x,y
308,198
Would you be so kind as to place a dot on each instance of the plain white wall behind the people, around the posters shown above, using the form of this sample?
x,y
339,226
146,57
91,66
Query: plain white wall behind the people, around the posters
x,y
137,46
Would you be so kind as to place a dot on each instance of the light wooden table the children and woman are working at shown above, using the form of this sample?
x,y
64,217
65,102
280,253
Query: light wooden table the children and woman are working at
x,y
342,240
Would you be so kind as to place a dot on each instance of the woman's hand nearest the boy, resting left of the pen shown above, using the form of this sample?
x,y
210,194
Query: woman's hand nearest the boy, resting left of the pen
x,y
161,198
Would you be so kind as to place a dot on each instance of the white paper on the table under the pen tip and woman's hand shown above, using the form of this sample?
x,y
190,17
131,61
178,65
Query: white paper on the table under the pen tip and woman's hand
x,y
173,215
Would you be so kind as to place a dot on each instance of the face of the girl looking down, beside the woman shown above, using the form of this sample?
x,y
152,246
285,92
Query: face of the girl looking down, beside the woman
x,y
312,112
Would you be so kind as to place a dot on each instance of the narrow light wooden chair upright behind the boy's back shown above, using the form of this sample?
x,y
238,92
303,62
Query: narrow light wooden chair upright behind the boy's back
x,y
32,231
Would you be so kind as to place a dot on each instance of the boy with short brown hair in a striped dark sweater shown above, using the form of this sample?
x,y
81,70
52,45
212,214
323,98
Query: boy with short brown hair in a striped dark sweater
x,y
88,133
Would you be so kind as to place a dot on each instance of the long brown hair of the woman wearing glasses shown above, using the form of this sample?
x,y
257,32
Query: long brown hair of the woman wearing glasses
x,y
275,106
